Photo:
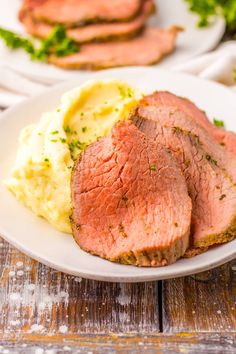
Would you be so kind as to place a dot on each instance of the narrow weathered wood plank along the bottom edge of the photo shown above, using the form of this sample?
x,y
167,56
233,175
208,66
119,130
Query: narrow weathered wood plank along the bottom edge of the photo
x,y
204,343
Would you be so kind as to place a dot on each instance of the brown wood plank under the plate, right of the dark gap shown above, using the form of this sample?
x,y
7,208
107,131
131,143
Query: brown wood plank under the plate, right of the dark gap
x,y
205,302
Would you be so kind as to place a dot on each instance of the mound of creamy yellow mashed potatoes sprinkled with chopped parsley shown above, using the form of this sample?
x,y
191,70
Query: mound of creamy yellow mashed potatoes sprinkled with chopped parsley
x,y
42,172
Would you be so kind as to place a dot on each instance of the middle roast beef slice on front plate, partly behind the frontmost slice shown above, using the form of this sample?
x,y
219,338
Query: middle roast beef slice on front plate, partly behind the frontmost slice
x,y
210,179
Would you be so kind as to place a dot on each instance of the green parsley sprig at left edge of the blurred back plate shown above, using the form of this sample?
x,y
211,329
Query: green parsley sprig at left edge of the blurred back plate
x,y
57,43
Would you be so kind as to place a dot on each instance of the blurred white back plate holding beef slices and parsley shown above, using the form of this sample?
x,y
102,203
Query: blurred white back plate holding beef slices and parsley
x,y
192,42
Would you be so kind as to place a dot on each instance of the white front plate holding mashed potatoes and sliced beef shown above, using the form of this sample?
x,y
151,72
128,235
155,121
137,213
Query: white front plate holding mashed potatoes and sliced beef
x,y
38,239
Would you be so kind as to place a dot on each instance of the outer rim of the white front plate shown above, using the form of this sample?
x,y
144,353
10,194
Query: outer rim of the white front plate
x,y
113,277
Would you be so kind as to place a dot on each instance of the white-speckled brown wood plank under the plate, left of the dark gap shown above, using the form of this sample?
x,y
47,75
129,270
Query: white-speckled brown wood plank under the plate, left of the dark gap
x,y
36,300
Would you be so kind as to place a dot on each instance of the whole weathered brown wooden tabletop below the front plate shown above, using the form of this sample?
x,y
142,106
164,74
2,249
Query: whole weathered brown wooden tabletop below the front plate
x,y
43,311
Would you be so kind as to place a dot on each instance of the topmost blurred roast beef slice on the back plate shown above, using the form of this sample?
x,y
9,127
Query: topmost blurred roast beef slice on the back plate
x,y
73,13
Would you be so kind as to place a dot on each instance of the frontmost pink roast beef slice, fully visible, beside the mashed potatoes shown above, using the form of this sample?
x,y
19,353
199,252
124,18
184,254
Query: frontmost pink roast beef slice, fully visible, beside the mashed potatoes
x,y
130,200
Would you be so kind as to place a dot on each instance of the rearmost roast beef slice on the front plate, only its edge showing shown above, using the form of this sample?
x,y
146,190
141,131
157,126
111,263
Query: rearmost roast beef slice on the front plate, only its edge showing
x,y
225,138
